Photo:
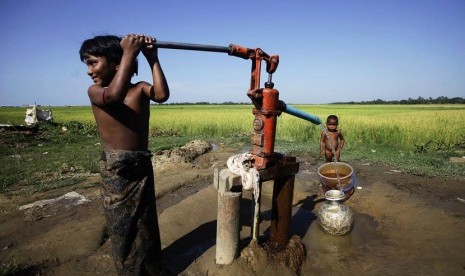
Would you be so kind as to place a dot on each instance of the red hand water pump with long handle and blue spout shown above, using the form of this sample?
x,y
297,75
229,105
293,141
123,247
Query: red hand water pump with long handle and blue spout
x,y
269,164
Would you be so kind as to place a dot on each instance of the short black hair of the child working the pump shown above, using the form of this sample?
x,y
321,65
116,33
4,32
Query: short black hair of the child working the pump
x,y
107,46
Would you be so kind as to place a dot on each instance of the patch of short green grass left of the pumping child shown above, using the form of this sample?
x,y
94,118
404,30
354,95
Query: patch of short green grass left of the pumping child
x,y
47,159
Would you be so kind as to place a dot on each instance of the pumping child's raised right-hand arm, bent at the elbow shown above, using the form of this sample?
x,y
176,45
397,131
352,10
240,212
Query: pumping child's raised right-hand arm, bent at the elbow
x,y
159,91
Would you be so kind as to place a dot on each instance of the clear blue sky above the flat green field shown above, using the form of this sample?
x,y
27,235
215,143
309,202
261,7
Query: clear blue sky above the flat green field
x,y
329,50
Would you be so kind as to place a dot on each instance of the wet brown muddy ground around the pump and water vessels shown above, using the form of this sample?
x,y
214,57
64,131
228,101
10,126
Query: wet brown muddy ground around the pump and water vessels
x,y
403,224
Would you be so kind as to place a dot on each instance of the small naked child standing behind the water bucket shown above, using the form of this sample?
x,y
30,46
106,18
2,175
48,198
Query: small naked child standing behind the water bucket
x,y
331,141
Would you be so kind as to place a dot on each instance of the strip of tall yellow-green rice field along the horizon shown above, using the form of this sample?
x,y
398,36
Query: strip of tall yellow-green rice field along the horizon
x,y
397,126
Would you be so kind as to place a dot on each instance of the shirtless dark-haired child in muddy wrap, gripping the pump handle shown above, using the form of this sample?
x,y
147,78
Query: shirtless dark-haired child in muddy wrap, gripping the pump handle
x,y
121,110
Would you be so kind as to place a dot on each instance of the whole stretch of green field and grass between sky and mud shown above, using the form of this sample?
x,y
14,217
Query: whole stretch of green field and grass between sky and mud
x,y
417,139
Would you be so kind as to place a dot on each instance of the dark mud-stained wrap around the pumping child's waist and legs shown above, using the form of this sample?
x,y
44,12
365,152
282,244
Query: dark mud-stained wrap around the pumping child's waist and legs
x,y
129,205
